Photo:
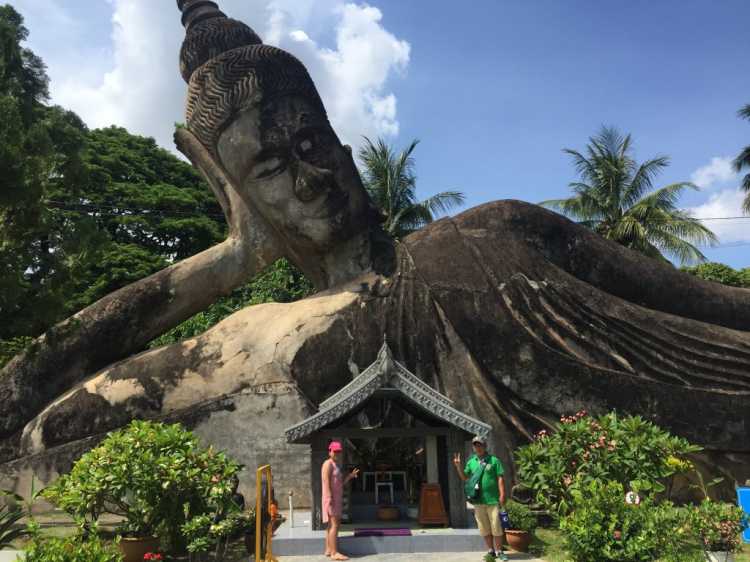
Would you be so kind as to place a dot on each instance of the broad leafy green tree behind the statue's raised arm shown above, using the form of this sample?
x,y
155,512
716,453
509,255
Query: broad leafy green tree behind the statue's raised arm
x,y
147,208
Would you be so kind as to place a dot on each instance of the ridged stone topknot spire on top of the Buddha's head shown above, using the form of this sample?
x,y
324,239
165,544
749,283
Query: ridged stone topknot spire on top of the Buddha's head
x,y
208,34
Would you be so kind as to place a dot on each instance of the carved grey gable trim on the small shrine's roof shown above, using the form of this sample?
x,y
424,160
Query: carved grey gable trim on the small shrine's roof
x,y
385,375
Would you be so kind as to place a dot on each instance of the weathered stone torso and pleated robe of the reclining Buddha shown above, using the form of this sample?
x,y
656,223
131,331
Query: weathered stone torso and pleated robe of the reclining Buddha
x,y
514,312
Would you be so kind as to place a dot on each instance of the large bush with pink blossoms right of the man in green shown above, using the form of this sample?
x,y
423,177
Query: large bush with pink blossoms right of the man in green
x,y
584,449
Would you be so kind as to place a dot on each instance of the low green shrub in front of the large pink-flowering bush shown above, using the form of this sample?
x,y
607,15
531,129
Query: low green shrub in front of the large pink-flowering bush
x,y
602,526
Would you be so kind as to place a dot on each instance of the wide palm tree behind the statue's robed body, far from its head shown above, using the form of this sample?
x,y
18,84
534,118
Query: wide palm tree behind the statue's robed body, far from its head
x,y
614,199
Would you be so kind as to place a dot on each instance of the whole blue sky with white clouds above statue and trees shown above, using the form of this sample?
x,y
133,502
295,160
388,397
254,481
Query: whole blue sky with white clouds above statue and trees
x,y
495,89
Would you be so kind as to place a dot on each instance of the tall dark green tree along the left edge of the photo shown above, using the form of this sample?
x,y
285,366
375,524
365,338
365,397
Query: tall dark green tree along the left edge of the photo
x,y
40,156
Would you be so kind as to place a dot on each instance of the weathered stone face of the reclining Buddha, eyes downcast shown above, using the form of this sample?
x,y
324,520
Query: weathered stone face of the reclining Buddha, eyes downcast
x,y
284,156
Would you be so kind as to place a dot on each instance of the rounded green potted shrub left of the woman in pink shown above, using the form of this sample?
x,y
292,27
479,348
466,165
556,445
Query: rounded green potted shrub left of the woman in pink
x,y
154,475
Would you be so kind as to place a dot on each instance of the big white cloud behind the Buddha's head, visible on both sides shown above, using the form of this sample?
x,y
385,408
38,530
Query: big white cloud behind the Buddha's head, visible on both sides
x,y
134,81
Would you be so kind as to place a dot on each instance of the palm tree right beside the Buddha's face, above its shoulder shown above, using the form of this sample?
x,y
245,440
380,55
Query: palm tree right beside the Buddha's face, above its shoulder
x,y
390,180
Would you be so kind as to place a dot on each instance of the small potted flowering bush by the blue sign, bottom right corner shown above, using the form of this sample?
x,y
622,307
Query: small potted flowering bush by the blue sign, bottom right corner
x,y
717,526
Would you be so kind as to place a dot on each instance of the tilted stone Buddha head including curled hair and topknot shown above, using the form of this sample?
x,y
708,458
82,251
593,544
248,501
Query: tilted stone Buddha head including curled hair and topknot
x,y
255,110
